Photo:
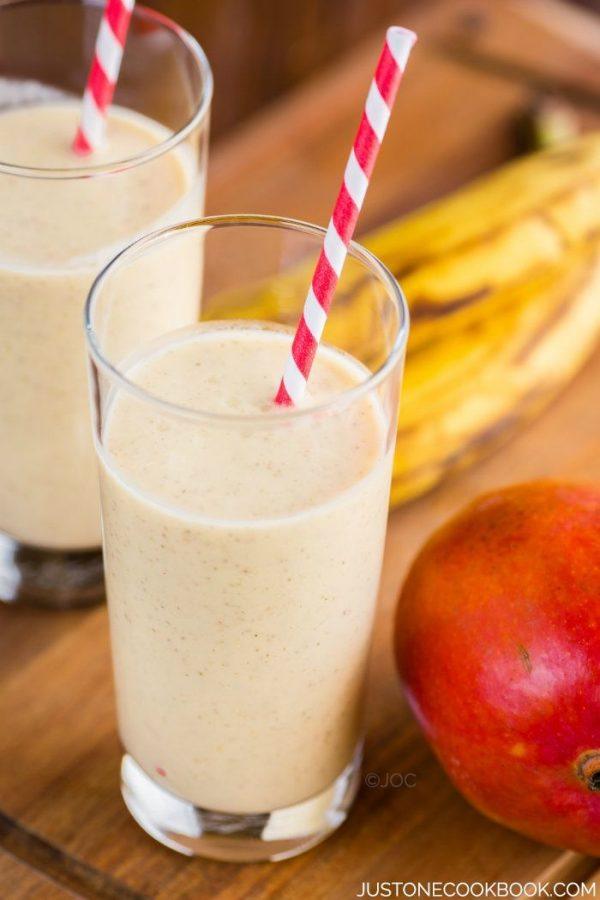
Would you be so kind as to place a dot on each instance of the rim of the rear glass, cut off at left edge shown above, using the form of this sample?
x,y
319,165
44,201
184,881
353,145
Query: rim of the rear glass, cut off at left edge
x,y
119,165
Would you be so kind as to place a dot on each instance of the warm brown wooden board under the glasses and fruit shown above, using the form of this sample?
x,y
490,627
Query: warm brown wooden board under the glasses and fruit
x,y
63,828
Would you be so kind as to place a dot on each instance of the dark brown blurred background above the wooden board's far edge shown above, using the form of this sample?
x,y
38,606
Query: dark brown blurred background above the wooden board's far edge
x,y
259,49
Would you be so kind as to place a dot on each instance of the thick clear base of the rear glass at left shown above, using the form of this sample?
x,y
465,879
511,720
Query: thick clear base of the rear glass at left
x,y
50,578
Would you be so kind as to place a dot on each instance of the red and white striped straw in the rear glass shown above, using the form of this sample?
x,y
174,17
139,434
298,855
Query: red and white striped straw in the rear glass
x,y
103,75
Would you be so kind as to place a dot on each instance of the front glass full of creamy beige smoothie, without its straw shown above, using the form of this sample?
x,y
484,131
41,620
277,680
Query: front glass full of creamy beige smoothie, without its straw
x,y
243,541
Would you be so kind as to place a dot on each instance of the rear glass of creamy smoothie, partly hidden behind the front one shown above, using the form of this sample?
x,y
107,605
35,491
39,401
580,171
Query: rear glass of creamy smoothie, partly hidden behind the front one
x,y
62,217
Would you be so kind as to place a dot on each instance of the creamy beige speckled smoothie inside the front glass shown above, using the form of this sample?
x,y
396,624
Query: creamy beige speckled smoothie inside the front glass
x,y
242,558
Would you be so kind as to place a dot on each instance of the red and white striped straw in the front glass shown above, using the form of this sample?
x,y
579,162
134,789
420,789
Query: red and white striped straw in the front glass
x,y
380,99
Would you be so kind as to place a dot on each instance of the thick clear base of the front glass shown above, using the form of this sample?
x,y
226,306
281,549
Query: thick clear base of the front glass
x,y
250,837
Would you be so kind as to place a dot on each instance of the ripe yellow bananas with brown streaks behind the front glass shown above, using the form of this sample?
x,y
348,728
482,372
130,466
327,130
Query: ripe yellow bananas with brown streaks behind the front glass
x,y
503,283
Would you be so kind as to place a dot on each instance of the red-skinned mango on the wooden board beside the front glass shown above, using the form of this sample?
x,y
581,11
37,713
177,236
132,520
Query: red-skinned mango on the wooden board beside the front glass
x,y
497,640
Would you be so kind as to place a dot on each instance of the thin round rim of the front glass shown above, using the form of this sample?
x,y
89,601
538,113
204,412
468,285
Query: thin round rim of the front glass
x,y
342,398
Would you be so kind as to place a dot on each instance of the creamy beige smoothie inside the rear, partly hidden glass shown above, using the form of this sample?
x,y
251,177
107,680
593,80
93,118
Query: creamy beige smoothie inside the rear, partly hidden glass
x,y
55,235
